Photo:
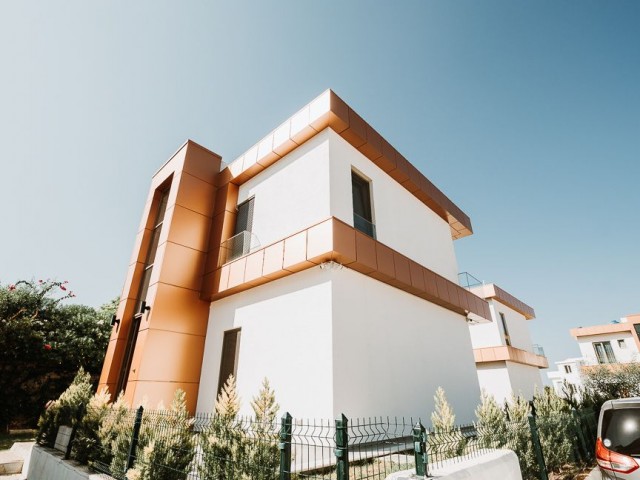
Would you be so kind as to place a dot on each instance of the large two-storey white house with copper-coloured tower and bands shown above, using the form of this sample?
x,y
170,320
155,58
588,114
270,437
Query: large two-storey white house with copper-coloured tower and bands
x,y
320,258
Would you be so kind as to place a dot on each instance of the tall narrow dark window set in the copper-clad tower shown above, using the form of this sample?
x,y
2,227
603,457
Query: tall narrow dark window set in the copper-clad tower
x,y
143,289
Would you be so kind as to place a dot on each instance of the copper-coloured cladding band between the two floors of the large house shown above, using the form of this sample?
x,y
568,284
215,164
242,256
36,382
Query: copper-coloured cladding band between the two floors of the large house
x,y
334,240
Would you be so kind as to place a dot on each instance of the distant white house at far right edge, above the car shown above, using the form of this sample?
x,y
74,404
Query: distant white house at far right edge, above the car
x,y
615,342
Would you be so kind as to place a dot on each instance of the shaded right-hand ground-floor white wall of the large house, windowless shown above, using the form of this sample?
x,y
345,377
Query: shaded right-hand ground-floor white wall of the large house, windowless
x,y
392,350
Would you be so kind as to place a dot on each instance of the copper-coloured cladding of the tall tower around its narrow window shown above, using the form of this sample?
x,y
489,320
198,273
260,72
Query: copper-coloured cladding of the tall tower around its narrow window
x,y
170,343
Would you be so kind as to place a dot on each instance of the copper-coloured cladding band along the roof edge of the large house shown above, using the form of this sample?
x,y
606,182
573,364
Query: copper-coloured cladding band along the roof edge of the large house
x,y
330,111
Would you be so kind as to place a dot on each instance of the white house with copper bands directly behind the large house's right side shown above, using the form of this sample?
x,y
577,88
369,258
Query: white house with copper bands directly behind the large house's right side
x,y
506,360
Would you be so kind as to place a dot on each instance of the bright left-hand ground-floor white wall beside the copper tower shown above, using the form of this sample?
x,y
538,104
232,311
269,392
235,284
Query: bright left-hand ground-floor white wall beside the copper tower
x,y
285,336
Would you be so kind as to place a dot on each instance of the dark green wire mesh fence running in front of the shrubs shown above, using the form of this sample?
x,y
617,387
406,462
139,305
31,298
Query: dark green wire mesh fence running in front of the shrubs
x,y
169,445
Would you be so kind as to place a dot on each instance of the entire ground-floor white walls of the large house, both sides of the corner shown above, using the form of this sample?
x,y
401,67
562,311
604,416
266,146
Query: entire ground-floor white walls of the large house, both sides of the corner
x,y
337,341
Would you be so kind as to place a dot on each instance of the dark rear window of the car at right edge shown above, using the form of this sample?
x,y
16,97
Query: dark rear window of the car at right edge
x,y
621,430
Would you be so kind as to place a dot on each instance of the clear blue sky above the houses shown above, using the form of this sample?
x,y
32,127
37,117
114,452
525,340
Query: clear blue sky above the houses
x,y
526,114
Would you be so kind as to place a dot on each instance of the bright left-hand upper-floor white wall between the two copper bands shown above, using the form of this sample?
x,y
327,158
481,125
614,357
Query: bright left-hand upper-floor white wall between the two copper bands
x,y
293,193
